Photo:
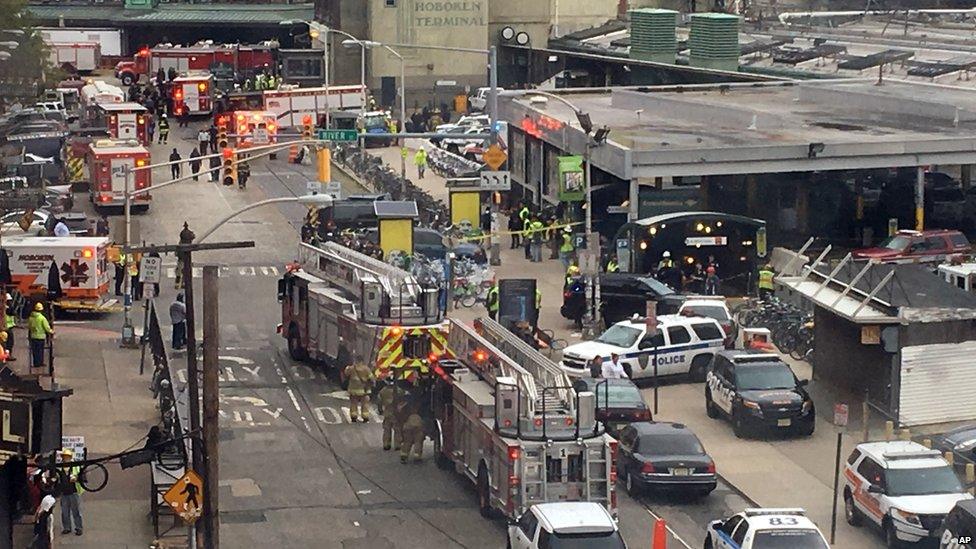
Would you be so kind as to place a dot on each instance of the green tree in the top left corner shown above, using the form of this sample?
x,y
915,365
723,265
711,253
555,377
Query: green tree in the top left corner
x,y
27,68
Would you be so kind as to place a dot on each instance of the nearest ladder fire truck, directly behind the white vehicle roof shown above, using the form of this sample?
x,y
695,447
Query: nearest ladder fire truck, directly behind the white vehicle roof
x,y
507,419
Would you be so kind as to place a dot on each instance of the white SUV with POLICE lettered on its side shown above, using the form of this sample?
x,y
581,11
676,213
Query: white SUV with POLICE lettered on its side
x,y
682,345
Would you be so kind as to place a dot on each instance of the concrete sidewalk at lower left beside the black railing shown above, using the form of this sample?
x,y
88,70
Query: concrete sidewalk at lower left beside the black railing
x,y
113,409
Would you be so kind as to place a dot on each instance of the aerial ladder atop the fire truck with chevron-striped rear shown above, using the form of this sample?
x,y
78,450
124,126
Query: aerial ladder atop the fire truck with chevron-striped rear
x,y
383,294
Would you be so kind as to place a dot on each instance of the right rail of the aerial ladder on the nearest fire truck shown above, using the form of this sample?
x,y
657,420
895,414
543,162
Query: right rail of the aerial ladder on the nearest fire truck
x,y
558,393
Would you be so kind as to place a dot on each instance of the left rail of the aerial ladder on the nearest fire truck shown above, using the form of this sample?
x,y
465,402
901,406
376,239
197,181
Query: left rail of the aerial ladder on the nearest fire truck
x,y
467,344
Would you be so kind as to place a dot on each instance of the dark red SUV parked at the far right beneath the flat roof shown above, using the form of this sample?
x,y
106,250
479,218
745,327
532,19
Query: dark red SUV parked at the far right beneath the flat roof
x,y
917,247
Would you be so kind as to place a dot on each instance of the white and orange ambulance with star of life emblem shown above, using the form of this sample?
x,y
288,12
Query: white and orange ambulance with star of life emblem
x,y
75,267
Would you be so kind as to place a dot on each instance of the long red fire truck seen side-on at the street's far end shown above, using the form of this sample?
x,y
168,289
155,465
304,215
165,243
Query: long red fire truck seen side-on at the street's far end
x,y
245,59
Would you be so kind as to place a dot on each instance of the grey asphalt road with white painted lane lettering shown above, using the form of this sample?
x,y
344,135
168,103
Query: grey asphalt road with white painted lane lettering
x,y
295,472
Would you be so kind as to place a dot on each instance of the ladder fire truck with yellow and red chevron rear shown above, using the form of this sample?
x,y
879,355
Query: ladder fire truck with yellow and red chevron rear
x,y
338,304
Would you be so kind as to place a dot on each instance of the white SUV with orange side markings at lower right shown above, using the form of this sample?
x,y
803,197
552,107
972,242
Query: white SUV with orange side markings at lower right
x,y
902,487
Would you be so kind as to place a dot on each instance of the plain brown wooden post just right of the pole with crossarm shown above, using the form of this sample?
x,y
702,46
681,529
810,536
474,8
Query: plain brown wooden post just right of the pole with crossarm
x,y
211,429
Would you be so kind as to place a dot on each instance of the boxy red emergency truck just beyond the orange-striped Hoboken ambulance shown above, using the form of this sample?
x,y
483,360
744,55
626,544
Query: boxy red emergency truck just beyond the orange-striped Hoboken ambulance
x,y
108,161
